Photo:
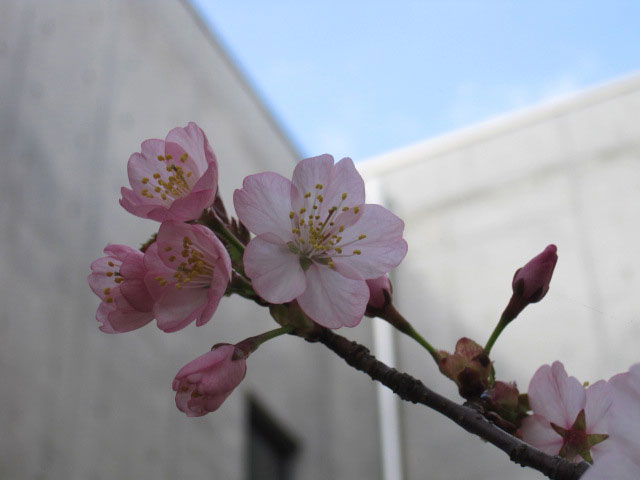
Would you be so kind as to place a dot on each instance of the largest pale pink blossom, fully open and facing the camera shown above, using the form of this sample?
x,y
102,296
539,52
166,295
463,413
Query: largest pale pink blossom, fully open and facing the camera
x,y
317,241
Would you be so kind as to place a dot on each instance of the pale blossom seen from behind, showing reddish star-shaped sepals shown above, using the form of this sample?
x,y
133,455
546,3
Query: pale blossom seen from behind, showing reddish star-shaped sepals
x,y
568,420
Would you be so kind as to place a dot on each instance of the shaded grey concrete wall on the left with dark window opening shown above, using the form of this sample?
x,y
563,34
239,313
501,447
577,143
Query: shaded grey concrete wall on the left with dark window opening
x,y
81,85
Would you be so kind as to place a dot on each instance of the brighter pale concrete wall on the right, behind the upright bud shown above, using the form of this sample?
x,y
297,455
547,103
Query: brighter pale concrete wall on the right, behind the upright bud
x,y
481,202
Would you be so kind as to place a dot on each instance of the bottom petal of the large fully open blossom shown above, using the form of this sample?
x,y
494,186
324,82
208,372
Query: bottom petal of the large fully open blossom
x,y
332,300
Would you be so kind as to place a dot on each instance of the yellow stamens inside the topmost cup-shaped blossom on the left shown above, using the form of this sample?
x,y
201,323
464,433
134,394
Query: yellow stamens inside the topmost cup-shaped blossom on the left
x,y
172,182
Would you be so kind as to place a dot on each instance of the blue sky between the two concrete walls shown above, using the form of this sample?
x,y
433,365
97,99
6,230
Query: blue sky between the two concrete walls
x,y
361,78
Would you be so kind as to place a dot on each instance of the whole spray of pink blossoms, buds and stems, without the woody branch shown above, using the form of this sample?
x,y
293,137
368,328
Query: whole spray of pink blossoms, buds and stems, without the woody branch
x,y
320,257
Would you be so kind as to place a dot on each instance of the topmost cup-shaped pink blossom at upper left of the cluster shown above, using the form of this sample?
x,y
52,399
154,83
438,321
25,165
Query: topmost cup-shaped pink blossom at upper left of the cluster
x,y
172,179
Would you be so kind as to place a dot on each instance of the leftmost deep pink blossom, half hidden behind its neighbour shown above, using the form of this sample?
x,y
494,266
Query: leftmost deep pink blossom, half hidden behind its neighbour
x,y
118,279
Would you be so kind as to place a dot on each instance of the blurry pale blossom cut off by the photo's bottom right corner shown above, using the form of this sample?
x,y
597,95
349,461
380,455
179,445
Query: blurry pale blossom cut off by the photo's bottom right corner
x,y
622,460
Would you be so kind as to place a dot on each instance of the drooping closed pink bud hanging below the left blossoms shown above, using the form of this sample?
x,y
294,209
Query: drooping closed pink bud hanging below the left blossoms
x,y
203,384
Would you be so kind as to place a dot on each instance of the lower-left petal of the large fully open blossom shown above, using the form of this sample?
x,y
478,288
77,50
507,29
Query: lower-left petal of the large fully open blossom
x,y
275,272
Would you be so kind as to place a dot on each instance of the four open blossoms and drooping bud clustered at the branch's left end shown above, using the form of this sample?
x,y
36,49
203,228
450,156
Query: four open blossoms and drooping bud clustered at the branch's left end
x,y
317,247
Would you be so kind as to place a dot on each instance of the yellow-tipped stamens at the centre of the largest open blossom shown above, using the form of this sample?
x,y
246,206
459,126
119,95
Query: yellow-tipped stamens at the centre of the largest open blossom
x,y
318,239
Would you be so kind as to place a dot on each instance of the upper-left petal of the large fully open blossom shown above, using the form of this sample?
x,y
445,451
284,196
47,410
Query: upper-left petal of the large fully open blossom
x,y
264,203
